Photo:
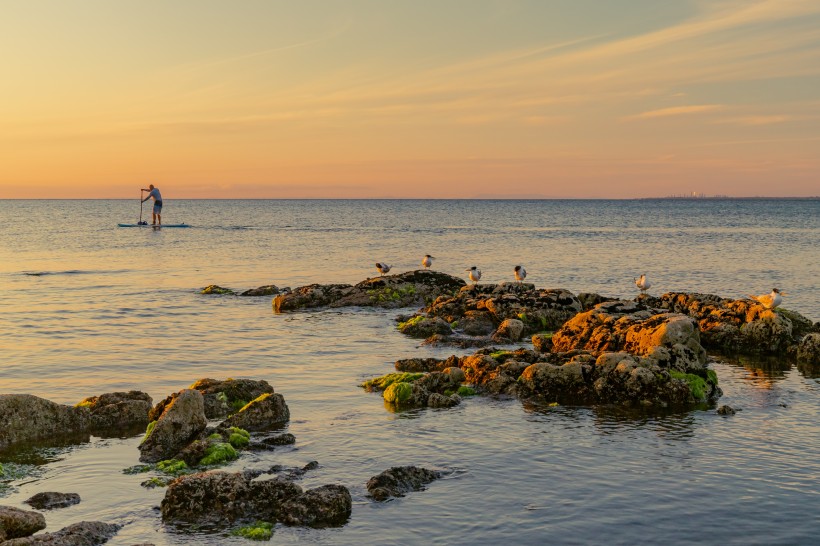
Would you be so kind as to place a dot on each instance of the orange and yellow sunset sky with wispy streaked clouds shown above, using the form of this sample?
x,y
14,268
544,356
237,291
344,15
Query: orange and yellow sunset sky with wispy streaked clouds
x,y
409,99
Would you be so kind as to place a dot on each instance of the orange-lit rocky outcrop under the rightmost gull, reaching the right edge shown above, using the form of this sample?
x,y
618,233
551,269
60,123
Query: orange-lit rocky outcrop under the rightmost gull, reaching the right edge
x,y
740,325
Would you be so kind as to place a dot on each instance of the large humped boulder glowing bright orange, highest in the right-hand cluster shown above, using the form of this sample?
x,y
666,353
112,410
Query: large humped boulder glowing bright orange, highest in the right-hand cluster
x,y
671,340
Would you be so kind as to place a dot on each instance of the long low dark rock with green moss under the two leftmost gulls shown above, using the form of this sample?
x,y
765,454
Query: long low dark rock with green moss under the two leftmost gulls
x,y
391,291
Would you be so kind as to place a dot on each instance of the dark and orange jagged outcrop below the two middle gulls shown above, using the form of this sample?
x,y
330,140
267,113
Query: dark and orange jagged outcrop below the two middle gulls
x,y
481,314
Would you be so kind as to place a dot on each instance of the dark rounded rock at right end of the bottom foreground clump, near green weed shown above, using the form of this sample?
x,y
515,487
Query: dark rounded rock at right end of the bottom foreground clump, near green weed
x,y
320,507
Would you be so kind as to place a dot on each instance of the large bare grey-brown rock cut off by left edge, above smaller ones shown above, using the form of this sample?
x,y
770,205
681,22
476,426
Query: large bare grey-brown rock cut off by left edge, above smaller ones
x,y
24,418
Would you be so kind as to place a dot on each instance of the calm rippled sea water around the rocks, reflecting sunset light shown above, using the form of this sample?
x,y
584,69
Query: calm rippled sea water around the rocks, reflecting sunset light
x,y
87,308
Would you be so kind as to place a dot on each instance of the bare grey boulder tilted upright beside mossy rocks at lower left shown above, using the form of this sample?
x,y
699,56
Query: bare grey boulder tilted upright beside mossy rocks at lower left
x,y
182,420
